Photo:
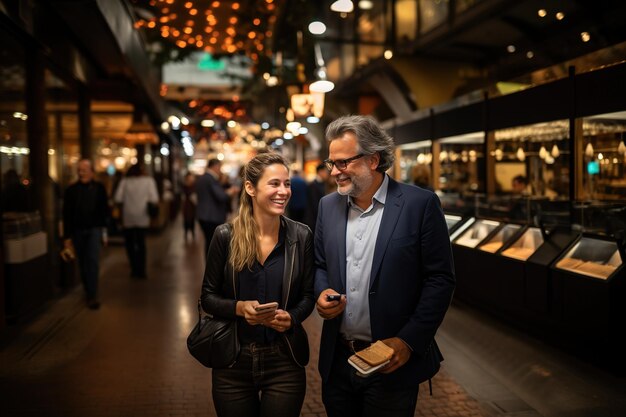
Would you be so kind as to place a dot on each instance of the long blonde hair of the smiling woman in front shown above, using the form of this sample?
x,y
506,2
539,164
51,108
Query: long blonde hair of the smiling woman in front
x,y
244,249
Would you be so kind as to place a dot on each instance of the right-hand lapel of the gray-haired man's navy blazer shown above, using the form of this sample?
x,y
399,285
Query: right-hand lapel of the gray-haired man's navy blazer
x,y
391,214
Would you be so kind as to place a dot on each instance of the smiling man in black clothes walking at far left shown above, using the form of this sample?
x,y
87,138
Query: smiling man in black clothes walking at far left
x,y
85,210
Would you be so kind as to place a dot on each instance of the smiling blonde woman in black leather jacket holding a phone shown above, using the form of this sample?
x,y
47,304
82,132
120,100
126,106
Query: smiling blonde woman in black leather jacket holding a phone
x,y
262,257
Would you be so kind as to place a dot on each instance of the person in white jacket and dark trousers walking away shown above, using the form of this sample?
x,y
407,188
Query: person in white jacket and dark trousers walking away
x,y
134,192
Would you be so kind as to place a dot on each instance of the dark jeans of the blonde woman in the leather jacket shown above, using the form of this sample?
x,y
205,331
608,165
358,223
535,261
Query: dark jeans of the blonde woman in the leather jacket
x,y
264,382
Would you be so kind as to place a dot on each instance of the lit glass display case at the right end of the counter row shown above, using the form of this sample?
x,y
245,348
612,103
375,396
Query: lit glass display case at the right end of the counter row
x,y
592,257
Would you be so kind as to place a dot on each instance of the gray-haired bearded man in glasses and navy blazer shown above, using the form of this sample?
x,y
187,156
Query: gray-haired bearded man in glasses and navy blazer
x,y
384,245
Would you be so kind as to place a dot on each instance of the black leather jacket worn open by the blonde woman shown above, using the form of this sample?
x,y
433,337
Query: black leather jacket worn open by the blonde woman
x,y
218,287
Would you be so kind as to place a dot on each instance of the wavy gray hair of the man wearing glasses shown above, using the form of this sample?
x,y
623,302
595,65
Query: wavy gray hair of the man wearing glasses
x,y
370,136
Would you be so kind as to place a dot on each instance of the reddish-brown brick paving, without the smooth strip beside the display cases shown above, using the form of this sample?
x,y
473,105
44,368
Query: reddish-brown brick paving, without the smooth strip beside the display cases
x,y
130,359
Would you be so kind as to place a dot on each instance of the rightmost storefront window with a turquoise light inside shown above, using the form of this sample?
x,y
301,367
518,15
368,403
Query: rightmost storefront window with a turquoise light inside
x,y
604,157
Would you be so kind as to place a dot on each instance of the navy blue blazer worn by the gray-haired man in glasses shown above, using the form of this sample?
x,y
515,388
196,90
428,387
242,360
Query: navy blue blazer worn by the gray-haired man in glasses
x,y
412,278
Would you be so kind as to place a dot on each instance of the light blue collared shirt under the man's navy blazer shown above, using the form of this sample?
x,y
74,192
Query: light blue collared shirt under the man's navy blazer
x,y
361,234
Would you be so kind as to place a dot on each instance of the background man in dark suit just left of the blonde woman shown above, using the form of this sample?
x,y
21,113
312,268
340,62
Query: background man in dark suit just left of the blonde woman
x,y
213,200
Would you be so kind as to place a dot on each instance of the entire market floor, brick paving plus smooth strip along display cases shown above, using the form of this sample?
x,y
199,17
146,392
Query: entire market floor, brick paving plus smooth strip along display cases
x,y
129,358
